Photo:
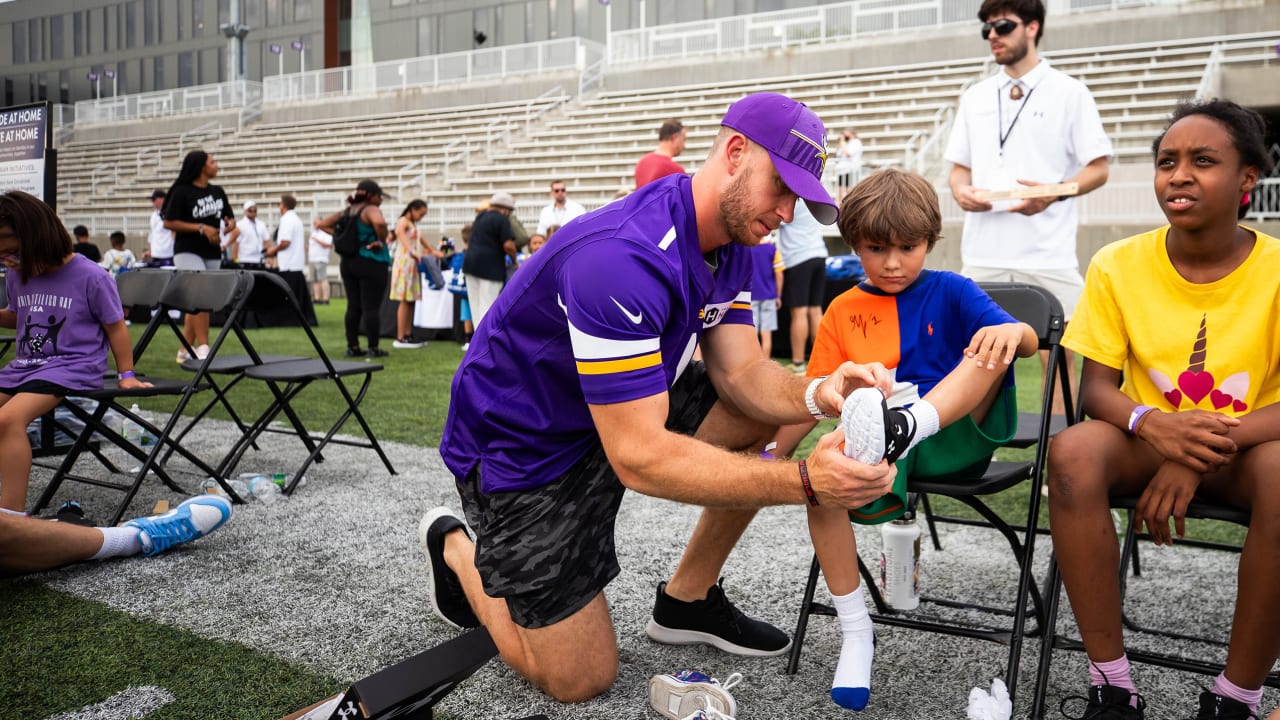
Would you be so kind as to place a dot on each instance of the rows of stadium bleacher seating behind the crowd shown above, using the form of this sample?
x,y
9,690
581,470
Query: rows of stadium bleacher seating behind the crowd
x,y
460,156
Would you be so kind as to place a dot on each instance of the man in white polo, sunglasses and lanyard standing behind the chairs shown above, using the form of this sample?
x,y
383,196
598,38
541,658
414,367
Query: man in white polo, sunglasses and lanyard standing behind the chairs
x,y
1028,125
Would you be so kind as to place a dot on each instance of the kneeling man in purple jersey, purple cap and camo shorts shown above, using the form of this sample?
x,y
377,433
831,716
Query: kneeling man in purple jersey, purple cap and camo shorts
x,y
580,384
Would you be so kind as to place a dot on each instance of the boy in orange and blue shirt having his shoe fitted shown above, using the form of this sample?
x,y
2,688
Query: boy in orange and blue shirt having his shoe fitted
x,y
950,349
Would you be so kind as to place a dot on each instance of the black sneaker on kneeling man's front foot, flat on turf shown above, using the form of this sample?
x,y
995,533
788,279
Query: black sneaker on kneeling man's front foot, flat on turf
x,y
715,622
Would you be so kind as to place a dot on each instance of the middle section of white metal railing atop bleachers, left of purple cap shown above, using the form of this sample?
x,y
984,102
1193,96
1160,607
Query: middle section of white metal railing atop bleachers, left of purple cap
x,y
568,54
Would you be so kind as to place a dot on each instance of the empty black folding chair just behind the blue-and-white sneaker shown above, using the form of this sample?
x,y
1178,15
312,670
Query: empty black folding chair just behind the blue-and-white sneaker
x,y
188,293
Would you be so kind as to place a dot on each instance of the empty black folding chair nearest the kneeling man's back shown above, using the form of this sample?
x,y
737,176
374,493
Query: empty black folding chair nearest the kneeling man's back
x,y
289,379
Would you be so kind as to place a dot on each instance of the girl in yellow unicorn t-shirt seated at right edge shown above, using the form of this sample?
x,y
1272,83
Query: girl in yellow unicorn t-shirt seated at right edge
x,y
1190,315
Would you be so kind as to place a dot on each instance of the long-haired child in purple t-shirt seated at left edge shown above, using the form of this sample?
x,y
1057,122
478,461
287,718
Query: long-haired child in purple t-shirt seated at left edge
x,y
67,313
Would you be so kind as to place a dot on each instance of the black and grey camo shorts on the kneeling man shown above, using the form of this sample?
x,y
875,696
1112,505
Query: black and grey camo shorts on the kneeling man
x,y
548,552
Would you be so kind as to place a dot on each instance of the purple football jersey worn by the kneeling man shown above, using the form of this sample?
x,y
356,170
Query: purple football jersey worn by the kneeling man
x,y
610,311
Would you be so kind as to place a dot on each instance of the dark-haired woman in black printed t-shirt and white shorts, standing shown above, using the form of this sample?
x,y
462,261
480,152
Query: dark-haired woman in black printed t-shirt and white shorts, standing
x,y
194,211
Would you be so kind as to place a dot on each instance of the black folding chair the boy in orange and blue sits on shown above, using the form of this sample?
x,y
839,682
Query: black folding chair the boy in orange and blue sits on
x,y
1043,312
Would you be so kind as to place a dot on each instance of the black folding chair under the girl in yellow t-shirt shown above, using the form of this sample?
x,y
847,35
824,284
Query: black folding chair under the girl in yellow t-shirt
x,y
1052,640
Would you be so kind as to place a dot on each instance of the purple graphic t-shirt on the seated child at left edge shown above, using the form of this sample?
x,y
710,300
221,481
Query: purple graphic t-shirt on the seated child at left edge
x,y
61,318
